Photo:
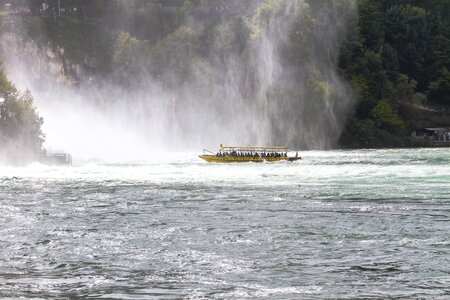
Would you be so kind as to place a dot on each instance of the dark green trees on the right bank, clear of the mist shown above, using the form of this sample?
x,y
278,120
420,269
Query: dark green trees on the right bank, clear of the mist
x,y
398,60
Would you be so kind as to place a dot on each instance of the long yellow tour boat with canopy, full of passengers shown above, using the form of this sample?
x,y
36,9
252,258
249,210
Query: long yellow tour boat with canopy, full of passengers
x,y
248,153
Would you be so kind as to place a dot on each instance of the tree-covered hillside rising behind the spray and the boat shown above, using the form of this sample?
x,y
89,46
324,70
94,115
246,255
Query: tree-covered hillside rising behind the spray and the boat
x,y
303,73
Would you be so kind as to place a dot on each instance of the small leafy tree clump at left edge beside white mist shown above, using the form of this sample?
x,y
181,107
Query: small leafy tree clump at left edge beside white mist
x,y
21,137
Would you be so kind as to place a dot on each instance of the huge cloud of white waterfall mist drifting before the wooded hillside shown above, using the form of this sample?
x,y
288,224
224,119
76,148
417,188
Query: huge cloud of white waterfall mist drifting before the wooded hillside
x,y
259,72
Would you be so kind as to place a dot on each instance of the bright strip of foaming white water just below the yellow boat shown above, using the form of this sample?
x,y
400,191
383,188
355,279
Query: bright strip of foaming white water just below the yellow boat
x,y
405,168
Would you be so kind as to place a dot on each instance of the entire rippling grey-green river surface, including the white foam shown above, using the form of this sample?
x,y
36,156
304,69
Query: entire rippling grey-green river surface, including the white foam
x,y
337,224
